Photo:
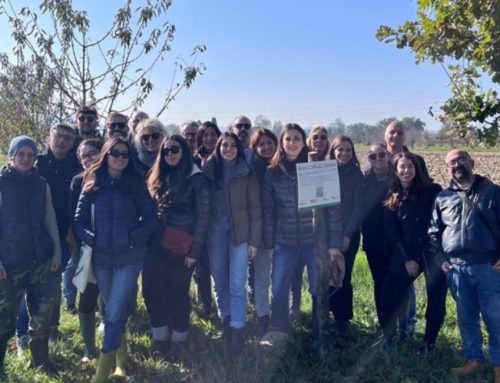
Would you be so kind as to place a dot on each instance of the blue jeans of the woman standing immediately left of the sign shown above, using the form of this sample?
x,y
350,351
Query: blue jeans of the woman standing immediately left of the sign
x,y
284,264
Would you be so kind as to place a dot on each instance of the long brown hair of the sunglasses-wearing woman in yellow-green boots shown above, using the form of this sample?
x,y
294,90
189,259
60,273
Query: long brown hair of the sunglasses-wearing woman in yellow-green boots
x,y
95,174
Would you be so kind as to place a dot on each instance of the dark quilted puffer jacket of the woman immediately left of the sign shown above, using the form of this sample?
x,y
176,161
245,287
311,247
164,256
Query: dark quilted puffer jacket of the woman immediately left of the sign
x,y
283,223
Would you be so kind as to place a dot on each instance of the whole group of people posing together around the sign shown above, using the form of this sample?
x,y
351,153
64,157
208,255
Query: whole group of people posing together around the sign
x,y
225,206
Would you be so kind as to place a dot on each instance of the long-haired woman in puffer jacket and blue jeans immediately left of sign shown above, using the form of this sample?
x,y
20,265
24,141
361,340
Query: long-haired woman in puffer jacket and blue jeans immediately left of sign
x,y
288,232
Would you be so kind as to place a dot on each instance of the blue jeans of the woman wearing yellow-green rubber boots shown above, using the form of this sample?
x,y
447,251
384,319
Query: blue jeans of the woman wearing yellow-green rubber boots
x,y
117,286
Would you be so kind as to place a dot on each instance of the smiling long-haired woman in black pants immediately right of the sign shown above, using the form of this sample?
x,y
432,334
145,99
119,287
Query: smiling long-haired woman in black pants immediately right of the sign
x,y
351,204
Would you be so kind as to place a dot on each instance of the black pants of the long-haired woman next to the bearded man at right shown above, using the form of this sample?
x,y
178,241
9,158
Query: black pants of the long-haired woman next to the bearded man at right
x,y
395,301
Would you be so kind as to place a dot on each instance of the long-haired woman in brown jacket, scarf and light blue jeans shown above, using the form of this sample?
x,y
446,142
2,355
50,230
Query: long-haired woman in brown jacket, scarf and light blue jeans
x,y
234,234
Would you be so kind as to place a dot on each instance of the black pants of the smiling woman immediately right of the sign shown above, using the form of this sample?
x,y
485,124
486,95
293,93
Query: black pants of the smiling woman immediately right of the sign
x,y
341,303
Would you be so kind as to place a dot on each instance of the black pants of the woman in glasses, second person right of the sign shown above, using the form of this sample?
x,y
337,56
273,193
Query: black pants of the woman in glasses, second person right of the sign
x,y
378,256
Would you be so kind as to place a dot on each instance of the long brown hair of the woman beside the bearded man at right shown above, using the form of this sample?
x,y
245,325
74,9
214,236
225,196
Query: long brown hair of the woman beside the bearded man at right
x,y
397,194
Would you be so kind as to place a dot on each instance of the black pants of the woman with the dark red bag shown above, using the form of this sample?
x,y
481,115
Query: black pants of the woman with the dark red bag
x,y
165,286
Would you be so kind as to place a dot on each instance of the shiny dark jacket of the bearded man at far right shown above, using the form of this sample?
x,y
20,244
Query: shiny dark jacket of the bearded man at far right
x,y
466,232
